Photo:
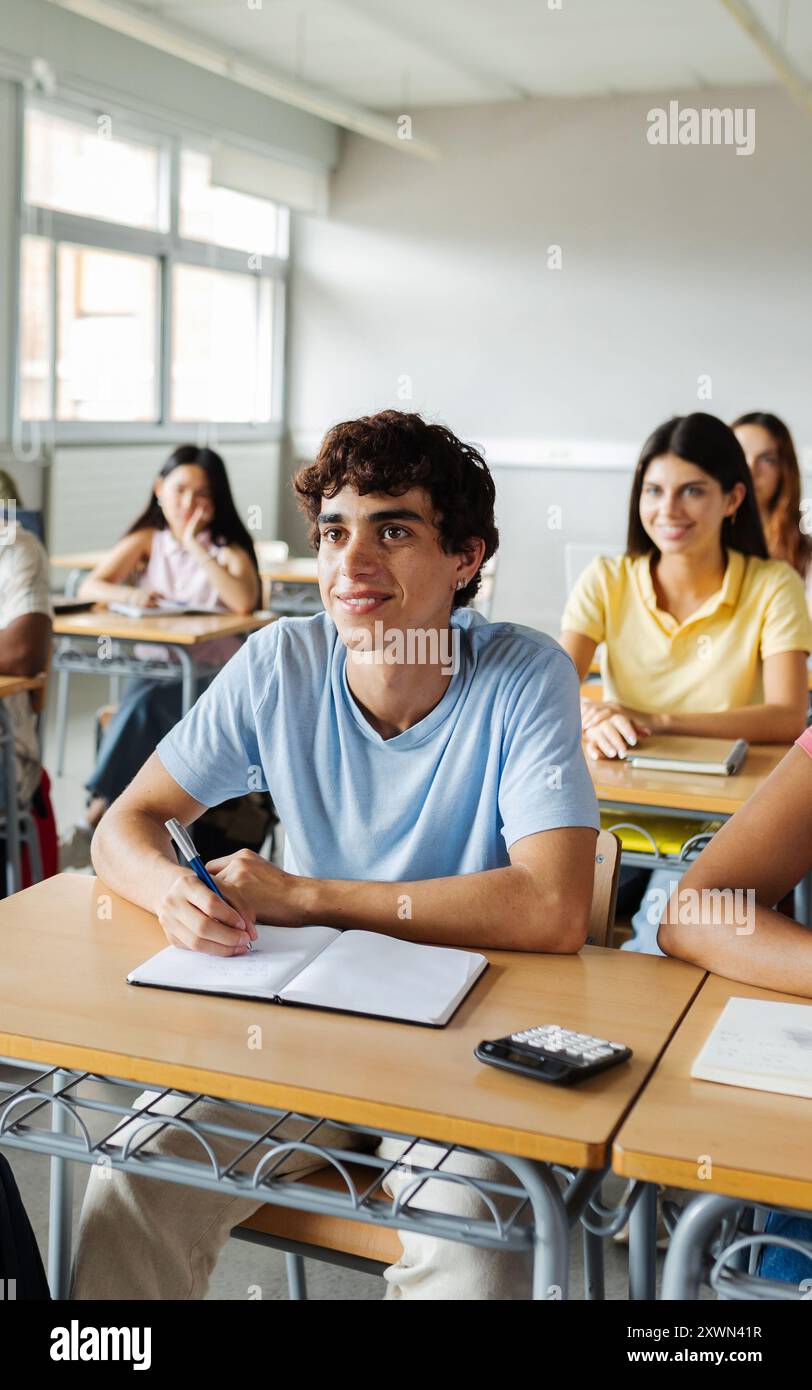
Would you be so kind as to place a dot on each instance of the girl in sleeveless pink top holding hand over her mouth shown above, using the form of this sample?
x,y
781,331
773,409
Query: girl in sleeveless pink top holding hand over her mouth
x,y
188,546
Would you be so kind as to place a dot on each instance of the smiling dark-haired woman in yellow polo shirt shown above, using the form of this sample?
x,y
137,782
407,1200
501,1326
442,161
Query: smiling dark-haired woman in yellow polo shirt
x,y
703,633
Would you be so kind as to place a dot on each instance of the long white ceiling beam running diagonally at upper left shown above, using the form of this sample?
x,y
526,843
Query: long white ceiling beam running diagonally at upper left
x,y
304,97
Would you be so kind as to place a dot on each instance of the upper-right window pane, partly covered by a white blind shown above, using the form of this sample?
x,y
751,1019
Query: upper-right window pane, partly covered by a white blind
x,y
222,216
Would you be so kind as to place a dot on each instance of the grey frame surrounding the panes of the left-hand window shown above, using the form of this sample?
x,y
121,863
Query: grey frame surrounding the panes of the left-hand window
x,y
169,248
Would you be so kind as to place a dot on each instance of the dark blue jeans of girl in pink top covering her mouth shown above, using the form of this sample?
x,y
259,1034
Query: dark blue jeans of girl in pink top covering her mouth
x,y
148,711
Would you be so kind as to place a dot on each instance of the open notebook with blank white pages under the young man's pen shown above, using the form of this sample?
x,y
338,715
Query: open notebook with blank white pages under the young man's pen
x,y
320,968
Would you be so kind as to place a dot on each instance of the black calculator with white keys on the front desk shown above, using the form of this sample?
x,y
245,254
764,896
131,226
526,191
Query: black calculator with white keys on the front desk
x,y
553,1054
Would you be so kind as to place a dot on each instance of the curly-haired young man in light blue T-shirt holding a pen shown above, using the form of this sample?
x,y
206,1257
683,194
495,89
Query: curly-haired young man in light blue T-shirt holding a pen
x,y
428,769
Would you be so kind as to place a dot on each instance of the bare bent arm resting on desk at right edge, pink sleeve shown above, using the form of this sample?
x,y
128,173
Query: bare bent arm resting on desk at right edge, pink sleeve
x,y
765,847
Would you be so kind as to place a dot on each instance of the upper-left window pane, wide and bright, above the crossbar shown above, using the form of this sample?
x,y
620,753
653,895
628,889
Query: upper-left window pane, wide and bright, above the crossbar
x,y
90,172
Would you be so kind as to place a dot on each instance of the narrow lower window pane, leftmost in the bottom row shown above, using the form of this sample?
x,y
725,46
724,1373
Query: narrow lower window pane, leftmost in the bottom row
x,y
35,332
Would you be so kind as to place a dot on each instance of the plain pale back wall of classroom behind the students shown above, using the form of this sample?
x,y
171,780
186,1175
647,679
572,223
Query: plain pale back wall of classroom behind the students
x,y
429,288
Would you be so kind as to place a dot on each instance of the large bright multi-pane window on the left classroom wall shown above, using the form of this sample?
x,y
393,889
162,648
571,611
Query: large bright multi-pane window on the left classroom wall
x,y
145,305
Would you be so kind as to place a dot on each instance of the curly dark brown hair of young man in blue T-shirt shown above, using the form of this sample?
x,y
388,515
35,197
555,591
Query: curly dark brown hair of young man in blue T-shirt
x,y
393,452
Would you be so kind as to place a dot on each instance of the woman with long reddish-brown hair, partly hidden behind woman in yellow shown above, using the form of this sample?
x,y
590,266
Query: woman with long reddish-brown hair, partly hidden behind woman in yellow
x,y
777,477
